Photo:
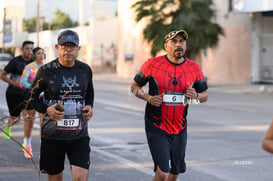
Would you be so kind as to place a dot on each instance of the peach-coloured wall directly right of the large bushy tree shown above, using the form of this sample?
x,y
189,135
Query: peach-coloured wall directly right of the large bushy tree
x,y
229,63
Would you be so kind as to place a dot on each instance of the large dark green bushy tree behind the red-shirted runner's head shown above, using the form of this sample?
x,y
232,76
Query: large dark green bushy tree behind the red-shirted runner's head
x,y
194,16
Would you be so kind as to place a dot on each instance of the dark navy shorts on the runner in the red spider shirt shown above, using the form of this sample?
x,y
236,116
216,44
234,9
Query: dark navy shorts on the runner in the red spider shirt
x,y
168,151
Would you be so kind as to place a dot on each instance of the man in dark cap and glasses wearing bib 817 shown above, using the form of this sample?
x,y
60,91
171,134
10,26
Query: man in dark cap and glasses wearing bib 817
x,y
67,106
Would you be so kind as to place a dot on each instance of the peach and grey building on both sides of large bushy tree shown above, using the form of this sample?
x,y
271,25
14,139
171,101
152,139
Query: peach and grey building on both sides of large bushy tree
x,y
241,57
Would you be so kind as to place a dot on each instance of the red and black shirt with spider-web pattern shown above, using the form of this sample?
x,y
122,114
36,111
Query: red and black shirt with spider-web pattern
x,y
169,78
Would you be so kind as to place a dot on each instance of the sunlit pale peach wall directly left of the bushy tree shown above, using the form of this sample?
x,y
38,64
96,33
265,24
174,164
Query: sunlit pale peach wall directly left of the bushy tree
x,y
131,43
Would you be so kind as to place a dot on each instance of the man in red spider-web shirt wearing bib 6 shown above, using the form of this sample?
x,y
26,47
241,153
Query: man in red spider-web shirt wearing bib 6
x,y
173,81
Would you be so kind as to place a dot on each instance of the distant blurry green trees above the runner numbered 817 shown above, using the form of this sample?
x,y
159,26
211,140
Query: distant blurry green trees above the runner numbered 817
x,y
61,20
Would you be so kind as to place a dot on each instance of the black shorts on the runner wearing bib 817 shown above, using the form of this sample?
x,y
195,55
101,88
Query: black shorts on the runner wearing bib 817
x,y
52,154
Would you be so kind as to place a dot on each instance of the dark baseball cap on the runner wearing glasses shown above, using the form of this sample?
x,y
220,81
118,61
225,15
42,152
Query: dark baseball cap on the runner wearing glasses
x,y
68,36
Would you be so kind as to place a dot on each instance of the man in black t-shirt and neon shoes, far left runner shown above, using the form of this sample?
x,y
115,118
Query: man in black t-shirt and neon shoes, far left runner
x,y
14,94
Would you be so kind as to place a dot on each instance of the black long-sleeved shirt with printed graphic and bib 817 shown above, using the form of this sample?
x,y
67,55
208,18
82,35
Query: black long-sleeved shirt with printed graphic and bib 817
x,y
72,88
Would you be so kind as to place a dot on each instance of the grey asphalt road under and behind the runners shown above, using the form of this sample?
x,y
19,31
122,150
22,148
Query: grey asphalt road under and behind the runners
x,y
224,137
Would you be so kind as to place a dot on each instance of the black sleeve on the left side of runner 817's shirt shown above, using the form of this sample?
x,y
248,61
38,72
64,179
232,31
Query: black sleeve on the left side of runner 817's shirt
x,y
36,88
